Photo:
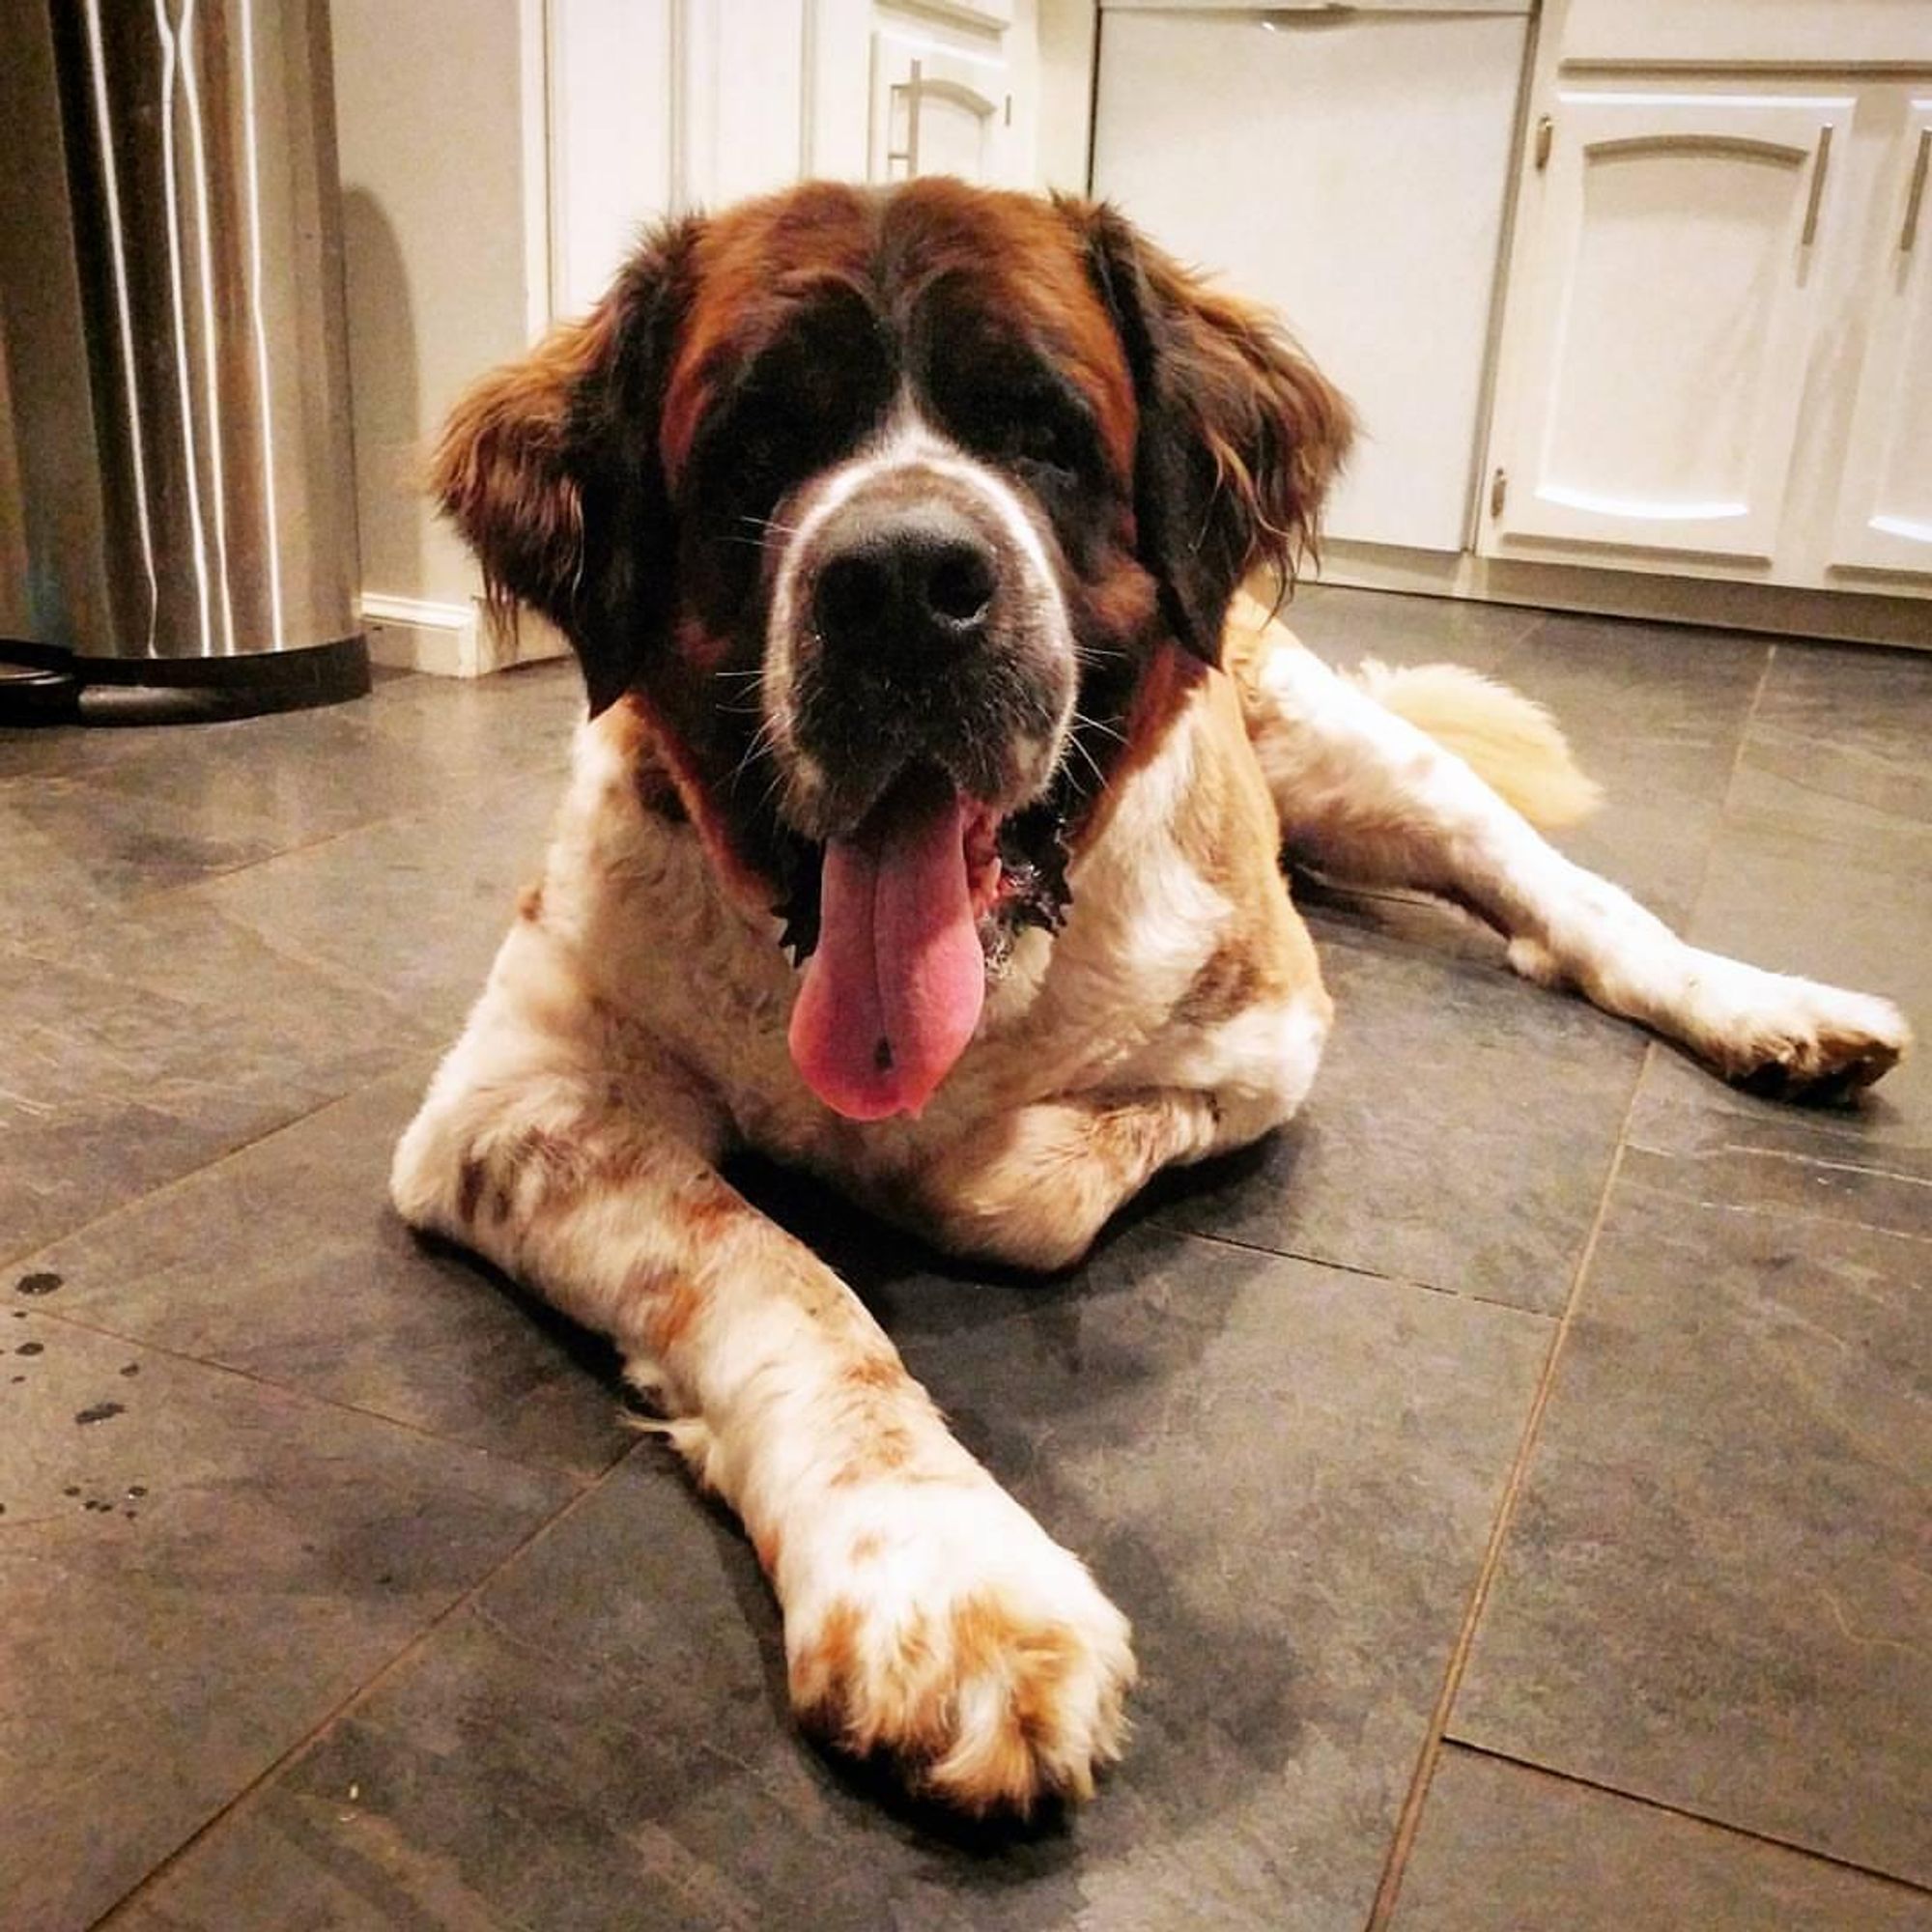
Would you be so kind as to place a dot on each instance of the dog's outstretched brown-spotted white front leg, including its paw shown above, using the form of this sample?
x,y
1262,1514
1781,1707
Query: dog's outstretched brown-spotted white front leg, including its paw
x,y
926,1614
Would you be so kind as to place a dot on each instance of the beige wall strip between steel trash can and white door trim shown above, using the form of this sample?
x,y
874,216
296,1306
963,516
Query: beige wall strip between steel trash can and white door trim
x,y
430,117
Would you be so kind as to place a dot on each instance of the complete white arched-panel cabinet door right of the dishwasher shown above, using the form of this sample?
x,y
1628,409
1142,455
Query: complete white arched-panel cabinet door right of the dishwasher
x,y
1674,277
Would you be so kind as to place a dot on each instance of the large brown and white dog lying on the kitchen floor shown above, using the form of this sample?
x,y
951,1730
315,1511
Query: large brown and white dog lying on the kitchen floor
x,y
926,834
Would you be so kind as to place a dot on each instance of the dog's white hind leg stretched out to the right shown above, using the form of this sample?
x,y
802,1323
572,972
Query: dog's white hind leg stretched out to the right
x,y
1369,797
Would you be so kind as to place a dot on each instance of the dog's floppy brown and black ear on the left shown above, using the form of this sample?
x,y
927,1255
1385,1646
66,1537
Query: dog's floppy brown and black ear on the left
x,y
550,469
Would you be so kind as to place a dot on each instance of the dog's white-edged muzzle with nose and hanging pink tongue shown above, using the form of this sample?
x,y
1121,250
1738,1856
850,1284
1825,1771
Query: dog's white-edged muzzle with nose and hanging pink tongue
x,y
919,685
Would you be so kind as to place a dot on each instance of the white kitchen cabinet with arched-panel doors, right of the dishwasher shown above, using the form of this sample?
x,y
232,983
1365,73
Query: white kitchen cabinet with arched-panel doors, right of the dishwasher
x,y
1717,355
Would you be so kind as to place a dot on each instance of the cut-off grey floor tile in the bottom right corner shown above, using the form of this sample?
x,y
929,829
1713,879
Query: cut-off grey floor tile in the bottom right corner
x,y
1510,1850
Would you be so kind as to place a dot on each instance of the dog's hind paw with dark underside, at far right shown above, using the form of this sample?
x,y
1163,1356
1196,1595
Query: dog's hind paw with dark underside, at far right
x,y
1800,1040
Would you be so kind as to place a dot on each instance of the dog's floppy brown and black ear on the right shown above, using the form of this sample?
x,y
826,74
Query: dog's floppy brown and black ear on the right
x,y
1239,434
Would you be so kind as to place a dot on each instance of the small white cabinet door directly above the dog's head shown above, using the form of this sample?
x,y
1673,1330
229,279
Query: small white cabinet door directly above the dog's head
x,y
938,111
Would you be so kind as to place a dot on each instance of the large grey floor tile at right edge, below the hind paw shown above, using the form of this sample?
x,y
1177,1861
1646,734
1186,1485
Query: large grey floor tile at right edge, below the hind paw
x,y
1717,1585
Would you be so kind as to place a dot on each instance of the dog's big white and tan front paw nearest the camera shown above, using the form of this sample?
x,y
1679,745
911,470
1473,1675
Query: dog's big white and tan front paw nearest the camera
x,y
942,1626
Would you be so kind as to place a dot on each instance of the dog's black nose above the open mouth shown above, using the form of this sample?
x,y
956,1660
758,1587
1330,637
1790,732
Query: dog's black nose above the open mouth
x,y
903,581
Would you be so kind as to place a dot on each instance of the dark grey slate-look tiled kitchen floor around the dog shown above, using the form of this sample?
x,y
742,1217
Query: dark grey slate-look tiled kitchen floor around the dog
x,y
364,1608
